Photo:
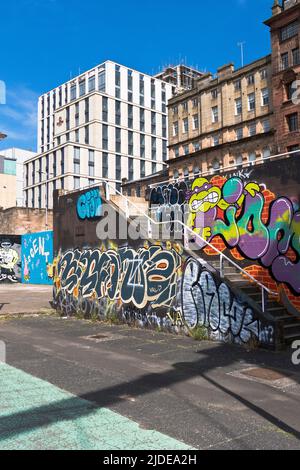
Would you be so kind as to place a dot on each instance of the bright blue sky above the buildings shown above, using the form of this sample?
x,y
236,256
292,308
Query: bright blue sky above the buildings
x,y
44,42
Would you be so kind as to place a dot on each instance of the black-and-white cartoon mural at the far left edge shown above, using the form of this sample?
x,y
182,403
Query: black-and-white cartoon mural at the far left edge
x,y
10,258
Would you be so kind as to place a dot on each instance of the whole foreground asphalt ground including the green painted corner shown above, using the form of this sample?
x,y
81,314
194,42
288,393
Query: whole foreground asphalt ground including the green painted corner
x,y
191,394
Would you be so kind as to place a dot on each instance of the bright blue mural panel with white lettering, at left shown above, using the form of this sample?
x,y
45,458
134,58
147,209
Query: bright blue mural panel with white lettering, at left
x,y
37,258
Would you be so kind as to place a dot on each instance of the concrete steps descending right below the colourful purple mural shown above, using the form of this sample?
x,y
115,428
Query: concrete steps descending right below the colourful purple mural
x,y
290,323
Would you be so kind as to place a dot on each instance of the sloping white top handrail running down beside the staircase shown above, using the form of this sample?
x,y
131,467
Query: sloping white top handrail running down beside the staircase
x,y
222,255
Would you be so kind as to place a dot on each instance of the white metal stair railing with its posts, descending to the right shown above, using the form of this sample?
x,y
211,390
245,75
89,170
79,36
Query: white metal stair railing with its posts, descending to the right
x,y
265,291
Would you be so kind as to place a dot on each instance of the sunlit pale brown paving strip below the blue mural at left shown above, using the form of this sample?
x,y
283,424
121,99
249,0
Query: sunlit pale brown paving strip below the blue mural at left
x,y
21,298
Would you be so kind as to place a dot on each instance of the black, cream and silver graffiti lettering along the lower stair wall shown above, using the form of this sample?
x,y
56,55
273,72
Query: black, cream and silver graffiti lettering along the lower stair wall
x,y
152,287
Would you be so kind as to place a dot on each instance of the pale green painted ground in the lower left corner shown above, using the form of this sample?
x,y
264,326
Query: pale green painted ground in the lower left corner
x,y
37,415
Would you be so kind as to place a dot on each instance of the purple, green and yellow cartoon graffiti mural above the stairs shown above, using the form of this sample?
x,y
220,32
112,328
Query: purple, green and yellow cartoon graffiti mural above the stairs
x,y
235,212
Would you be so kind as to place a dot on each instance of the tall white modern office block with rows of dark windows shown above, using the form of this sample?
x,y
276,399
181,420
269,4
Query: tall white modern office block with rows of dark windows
x,y
106,124
